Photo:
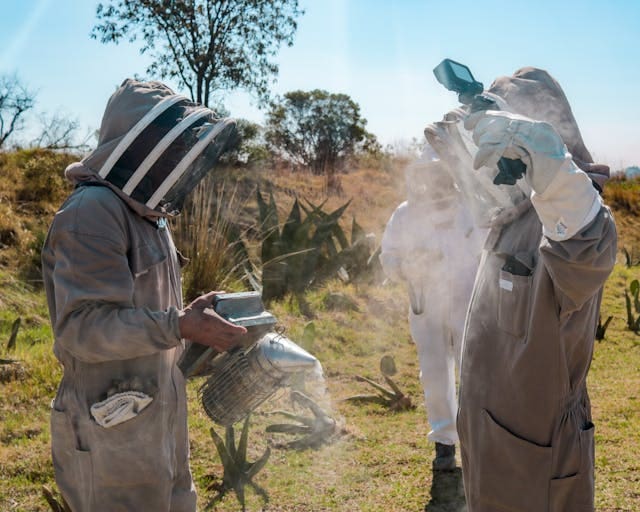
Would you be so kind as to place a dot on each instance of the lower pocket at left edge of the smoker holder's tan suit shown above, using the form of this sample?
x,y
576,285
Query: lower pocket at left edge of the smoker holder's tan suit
x,y
72,466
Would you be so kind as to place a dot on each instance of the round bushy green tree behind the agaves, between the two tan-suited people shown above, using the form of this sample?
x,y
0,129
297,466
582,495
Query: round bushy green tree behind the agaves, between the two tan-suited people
x,y
317,129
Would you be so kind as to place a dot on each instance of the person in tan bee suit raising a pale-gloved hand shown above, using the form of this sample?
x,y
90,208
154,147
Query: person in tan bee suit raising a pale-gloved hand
x,y
524,418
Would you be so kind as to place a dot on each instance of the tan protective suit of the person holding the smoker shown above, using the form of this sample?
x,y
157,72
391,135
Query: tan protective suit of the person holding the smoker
x,y
113,286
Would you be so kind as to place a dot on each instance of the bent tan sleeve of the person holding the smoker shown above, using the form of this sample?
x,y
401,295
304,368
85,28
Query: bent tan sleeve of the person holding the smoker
x,y
95,317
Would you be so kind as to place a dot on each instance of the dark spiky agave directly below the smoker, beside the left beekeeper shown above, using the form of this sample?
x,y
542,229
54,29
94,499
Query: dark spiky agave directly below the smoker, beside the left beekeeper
x,y
238,471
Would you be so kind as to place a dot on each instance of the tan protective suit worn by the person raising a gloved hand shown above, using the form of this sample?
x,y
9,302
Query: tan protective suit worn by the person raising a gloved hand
x,y
524,418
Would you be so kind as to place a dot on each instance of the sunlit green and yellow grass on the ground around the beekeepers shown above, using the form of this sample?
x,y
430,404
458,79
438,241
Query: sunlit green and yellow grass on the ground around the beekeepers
x,y
381,460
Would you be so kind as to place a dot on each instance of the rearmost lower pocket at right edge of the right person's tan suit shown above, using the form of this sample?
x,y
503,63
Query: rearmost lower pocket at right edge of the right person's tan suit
x,y
575,492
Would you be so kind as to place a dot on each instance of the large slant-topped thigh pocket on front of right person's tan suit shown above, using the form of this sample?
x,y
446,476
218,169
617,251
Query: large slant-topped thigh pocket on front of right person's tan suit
x,y
513,473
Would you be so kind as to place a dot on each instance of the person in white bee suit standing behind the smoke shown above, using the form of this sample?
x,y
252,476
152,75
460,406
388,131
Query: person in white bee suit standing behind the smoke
x,y
431,244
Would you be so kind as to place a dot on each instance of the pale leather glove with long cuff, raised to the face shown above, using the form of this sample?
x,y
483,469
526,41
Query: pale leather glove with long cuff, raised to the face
x,y
562,194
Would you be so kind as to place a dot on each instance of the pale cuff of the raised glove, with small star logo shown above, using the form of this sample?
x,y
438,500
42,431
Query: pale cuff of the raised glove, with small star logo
x,y
568,204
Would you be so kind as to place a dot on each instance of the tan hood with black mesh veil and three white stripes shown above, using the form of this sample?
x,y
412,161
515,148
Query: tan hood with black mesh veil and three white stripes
x,y
154,147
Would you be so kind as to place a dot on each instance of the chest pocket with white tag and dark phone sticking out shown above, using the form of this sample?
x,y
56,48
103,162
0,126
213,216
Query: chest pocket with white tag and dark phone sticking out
x,y
514,294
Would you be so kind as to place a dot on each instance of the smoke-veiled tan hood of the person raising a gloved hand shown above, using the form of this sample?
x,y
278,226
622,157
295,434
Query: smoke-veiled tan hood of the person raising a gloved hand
x,y
534,93
